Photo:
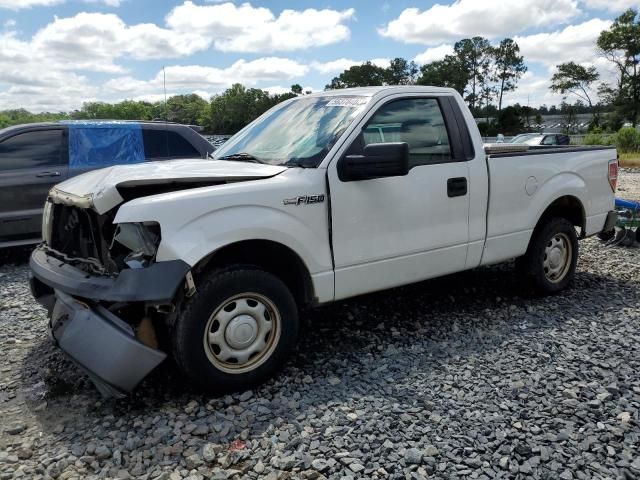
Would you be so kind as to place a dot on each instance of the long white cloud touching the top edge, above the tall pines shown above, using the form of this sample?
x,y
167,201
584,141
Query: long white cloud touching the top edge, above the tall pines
x,y
467,18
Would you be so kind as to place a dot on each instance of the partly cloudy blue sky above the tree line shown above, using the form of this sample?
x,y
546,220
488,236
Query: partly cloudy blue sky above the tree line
x,y
57,54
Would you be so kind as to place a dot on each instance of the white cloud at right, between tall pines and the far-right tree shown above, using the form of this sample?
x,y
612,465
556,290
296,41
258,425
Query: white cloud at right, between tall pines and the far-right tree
x,y
573,43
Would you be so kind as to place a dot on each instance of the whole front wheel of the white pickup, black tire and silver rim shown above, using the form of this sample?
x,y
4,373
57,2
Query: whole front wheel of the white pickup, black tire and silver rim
x,y
236,331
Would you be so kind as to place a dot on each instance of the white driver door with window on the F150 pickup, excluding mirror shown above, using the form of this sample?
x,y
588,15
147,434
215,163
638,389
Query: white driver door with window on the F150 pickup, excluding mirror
x,y
398,230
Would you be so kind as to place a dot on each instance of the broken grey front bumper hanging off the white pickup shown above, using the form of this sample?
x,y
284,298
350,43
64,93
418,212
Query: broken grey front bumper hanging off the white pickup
x,y
101,343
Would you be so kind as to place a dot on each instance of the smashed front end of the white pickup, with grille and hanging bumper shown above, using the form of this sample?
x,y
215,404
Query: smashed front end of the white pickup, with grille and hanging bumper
x,y
105,292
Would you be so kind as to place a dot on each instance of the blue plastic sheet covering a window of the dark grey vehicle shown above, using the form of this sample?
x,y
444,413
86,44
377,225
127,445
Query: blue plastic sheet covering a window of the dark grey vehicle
x,y
102,144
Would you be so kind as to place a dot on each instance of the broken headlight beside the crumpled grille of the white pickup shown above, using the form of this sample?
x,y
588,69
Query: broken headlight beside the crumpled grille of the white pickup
x,y
141,239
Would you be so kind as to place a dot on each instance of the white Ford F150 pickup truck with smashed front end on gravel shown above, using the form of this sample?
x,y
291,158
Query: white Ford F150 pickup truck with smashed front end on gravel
x,y
324,197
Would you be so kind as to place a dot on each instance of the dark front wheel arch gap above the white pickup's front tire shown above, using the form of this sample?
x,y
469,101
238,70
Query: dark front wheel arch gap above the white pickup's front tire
x,y
269,255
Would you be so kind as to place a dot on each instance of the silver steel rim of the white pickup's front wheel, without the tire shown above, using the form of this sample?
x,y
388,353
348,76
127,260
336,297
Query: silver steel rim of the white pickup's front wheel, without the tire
x,y
242,333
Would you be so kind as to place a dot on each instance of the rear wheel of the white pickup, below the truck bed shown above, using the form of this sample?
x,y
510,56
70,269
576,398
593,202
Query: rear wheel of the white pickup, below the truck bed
x,y
532,264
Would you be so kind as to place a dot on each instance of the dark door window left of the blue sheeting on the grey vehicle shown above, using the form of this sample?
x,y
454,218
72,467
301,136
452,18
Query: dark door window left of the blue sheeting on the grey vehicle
x,y
40,148
